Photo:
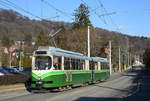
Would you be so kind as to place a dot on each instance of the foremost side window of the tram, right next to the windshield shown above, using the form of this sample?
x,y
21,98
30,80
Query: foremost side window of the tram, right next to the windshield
x,y
57,62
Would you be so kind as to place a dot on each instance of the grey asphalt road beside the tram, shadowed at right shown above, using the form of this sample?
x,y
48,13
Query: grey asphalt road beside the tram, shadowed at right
x,y
120,87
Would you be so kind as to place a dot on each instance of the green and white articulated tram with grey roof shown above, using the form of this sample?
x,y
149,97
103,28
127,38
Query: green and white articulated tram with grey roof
x,y
55,68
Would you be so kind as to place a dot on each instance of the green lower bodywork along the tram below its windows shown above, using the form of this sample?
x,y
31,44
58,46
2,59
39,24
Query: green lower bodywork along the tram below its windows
x,y
68,77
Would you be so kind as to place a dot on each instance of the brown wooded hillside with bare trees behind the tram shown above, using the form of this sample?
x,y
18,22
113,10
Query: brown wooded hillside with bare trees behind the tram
x,y
14,26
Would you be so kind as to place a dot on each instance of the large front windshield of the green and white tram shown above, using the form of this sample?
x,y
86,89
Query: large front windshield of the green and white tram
x,y
42,63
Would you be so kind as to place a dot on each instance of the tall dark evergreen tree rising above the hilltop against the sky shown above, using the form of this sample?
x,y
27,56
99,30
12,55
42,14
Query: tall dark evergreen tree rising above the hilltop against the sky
x,y
81,17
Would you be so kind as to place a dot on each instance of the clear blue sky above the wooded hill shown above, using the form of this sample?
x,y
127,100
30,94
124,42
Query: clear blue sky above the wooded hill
x,y
131,17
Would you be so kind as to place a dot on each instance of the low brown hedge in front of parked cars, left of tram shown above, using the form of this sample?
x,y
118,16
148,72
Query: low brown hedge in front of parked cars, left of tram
x,y
13,79
